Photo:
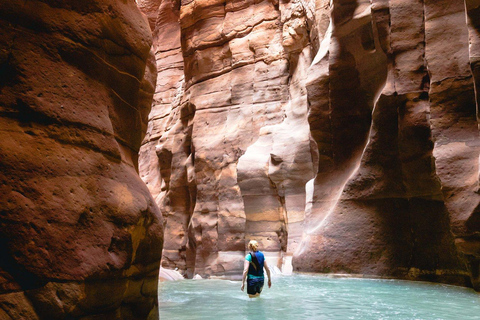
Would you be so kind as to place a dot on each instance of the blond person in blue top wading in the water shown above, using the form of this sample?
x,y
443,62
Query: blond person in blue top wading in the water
x,y
253,271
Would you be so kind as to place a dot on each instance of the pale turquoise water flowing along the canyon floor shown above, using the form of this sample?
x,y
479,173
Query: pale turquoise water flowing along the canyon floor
x,y
317,297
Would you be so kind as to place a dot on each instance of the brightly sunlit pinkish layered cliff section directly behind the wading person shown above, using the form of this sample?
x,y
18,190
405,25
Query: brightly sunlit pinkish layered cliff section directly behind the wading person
x,y
229,67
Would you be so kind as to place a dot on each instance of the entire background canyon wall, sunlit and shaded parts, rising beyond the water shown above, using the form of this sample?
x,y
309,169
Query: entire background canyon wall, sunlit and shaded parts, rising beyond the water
x,y
341,133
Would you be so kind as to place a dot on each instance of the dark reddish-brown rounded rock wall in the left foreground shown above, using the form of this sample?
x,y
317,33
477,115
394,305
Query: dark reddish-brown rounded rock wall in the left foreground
x,y
80,235
